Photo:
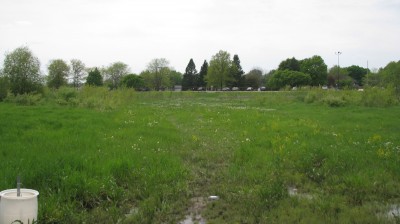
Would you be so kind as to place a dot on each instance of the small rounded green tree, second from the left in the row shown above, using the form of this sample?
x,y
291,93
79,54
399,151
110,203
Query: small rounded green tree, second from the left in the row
x,y
58,73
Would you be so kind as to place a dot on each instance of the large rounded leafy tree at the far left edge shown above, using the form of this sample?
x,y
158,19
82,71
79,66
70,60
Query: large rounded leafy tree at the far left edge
x,y
22,69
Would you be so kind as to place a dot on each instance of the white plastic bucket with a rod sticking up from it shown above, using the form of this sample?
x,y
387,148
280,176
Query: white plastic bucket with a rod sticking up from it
x,y
23,209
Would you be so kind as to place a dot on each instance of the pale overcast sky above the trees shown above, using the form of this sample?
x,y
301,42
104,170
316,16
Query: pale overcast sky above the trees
x,y
261,32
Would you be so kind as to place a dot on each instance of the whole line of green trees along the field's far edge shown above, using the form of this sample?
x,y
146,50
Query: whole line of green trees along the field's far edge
x,y
21,74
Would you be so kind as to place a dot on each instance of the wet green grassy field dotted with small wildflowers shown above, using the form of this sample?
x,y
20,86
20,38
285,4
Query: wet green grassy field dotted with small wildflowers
x,y
98,156
